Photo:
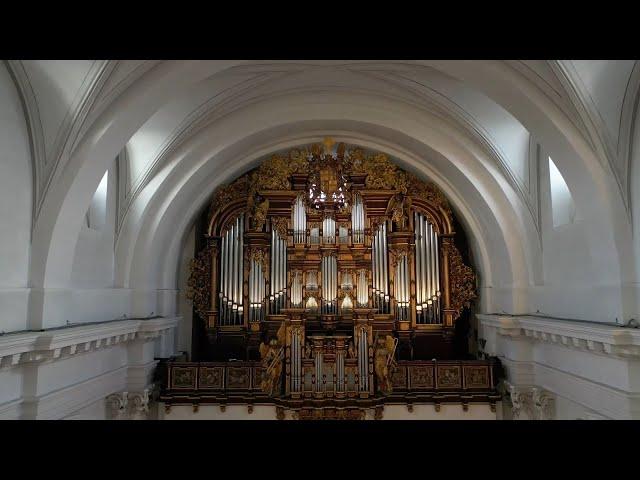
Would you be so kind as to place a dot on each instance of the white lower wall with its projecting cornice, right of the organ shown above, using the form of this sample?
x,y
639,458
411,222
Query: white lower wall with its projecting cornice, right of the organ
x,y
589,370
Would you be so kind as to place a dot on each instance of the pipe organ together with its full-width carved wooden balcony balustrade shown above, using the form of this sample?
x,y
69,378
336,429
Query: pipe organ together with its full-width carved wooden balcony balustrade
x,y
329,281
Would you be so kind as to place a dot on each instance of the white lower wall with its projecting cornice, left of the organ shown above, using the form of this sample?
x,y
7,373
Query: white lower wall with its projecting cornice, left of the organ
x,y
70,372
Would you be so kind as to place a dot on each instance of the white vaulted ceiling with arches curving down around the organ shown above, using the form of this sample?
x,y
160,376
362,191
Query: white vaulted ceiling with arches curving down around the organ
x,y
179,128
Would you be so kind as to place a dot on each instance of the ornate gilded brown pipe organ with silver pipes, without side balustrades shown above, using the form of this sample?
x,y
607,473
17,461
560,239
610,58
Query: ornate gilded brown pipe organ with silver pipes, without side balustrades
x,y
345,263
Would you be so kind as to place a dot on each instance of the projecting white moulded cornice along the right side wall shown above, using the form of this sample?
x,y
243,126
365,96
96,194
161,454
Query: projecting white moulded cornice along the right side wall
x,y
595,338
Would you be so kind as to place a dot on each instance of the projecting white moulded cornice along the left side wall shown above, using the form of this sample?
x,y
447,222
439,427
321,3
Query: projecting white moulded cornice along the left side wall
x,y
54,344
